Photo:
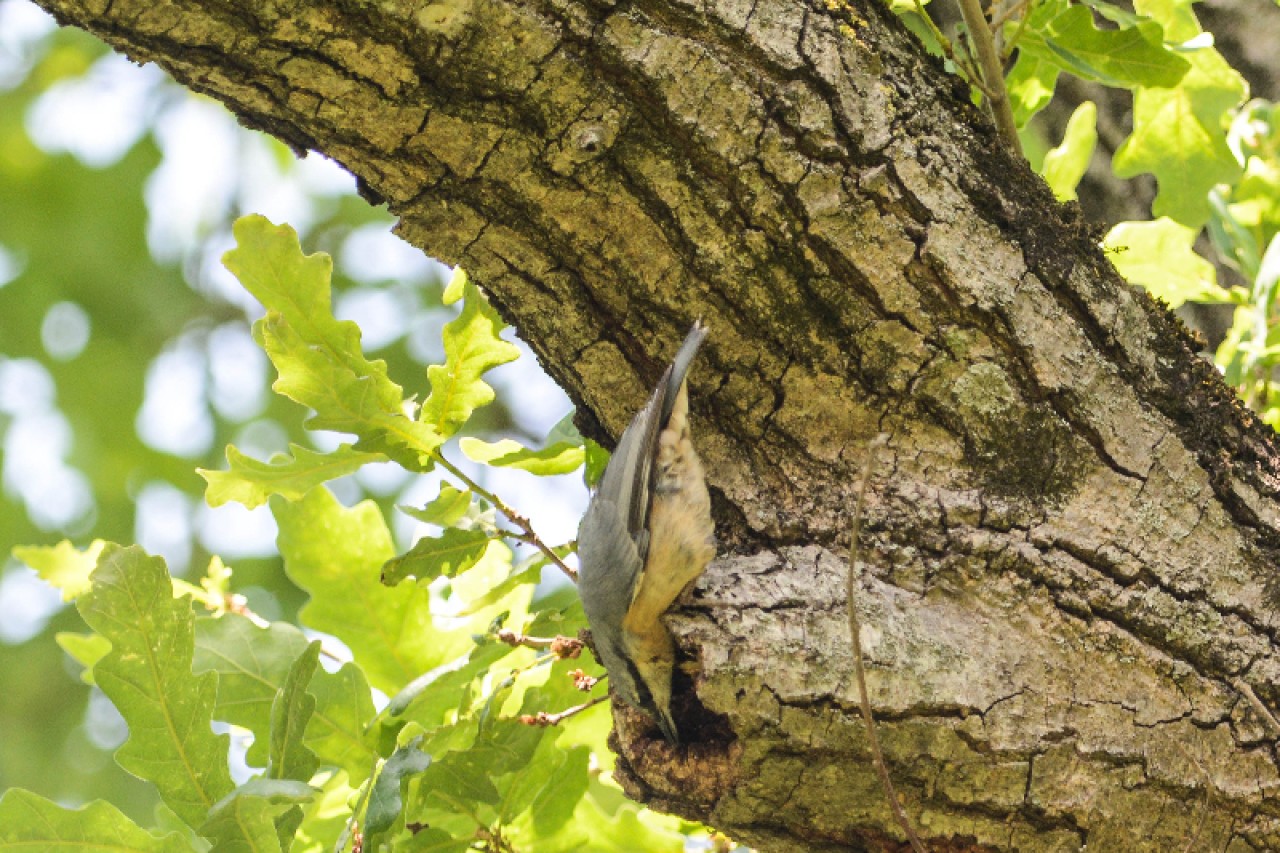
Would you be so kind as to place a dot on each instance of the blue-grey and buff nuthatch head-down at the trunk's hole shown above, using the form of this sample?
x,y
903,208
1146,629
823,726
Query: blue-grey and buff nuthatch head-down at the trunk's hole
x,y
646,537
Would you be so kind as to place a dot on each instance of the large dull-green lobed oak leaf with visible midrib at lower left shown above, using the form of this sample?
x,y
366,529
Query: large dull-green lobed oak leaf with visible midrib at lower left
x,y
148,677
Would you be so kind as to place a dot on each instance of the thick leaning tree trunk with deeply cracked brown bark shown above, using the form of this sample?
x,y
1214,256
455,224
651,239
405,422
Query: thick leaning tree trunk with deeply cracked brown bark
x,y
1069,549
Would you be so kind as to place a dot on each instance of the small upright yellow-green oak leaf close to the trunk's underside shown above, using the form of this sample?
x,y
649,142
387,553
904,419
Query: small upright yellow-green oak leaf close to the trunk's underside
x,y
472,348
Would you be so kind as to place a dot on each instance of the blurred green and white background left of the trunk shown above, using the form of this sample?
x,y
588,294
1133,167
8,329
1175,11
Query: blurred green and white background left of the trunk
x,y
126,363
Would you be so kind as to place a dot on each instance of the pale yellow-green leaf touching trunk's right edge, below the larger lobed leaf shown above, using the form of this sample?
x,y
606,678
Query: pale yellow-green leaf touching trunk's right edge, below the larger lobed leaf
x,y
1159,257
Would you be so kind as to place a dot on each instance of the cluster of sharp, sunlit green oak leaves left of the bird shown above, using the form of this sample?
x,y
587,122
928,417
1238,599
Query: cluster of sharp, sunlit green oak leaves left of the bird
x,y
464,755
